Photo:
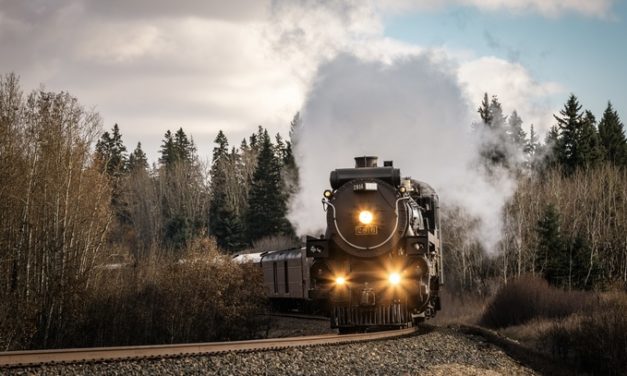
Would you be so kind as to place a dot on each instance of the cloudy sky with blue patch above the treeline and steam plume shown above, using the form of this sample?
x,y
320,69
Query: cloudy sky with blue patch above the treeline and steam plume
x,y
154,65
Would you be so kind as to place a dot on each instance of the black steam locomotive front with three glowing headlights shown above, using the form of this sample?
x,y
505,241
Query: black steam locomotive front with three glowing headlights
x,y
379,264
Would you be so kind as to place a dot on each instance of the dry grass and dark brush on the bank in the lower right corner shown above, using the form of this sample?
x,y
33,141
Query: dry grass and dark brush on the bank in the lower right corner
x,y
585,329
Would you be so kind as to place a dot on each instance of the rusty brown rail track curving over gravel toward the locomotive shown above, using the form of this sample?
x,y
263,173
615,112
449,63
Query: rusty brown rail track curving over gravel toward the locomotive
x,y
103,354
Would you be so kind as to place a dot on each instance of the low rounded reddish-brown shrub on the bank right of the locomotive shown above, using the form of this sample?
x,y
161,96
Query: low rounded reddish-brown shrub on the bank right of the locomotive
x,y
527,298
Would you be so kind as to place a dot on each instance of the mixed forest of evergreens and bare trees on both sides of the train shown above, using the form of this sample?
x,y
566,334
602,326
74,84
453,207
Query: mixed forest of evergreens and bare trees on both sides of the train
x,y
94,239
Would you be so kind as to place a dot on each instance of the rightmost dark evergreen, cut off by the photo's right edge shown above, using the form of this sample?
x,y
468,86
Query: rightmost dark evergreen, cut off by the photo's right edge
x,y
612,137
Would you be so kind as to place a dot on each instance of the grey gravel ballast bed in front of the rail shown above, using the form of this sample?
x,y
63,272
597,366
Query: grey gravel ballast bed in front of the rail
x,y
439,352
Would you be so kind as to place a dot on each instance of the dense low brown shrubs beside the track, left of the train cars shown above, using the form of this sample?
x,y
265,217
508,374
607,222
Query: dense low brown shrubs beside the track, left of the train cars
x,y
203,296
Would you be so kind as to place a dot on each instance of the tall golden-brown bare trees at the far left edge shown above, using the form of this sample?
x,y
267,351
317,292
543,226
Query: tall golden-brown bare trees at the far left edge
x,y
55,212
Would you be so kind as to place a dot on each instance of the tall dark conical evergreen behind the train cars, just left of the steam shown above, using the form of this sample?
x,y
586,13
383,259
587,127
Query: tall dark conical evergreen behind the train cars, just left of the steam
x,y
267,203
